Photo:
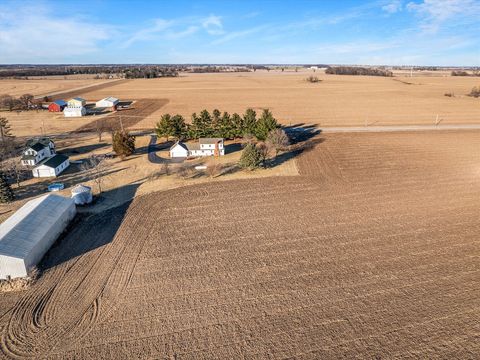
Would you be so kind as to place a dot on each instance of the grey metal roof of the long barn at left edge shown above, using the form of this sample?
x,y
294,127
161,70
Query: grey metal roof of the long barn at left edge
x,y
21,232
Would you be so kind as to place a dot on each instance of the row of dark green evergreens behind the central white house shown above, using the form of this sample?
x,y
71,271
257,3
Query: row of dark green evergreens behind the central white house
x,y
217,124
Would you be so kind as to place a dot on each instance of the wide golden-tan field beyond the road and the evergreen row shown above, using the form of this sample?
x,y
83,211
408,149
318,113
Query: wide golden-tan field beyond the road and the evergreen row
x,y
337,100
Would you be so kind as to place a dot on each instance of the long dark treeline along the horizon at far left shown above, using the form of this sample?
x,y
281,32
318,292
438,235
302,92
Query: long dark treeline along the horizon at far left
x,y
128,71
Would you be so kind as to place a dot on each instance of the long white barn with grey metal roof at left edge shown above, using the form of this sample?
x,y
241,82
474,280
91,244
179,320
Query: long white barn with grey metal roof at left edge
x,y
27,235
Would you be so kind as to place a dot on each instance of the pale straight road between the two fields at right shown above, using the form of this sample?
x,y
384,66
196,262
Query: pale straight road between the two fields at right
x,y
399,128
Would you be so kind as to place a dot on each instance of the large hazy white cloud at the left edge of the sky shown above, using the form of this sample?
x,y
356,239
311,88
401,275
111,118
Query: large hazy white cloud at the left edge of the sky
x,y
32,34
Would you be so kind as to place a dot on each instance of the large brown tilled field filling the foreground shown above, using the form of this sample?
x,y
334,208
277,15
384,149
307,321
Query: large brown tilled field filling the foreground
x,y
372,252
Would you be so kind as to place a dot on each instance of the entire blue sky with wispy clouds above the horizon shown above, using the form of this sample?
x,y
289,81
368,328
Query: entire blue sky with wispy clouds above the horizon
x,y
395,32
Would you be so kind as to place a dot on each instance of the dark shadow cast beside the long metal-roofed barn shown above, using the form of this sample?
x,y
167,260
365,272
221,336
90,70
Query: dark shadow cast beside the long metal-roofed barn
x,y
87,232
